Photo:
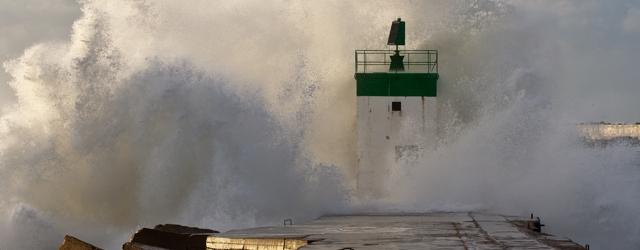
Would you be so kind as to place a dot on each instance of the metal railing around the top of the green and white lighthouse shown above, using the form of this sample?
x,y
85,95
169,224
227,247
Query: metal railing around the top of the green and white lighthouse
x,y
415,61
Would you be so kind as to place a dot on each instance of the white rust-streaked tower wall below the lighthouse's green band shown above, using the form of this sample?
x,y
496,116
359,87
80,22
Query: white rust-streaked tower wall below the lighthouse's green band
x,y
388,138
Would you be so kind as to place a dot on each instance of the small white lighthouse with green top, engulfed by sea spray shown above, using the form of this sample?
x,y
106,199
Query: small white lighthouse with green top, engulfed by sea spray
x,y
396,93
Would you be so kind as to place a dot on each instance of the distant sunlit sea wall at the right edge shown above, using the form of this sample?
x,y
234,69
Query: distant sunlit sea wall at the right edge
x,y
609,131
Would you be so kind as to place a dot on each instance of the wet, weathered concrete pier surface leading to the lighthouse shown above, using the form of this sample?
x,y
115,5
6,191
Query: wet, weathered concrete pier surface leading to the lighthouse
x,y
407,231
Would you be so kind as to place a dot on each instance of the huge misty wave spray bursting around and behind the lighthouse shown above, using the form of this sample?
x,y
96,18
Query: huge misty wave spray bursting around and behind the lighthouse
x,y
236,114
